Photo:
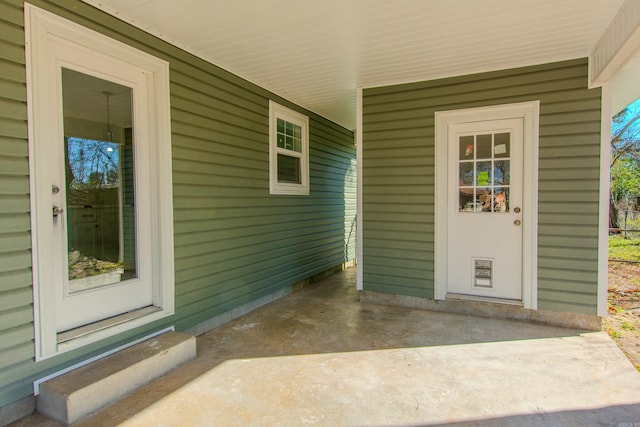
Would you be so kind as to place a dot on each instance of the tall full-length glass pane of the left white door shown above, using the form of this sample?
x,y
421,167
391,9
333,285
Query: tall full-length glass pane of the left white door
x,y
98,143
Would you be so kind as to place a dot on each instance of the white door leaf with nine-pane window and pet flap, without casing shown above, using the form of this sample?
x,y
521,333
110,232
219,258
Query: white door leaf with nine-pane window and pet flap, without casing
x,y
485,184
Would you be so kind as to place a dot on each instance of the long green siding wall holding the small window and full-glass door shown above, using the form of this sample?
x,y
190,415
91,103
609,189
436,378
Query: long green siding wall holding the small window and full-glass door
x,y
233,241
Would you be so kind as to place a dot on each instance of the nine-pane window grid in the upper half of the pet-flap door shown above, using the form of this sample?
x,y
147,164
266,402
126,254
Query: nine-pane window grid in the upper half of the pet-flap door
x,y
484,172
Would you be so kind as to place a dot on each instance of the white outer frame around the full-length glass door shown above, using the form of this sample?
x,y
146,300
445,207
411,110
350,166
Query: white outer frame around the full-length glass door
x,y
43,28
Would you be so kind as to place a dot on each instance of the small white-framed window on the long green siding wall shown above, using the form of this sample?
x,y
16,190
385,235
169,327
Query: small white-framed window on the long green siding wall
x,y
288,151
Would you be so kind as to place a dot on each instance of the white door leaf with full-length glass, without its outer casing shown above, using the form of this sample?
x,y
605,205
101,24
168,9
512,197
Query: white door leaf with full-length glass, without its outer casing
x,y
93,188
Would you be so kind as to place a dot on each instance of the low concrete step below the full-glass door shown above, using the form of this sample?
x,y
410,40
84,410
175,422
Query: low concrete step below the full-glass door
x,y
76,394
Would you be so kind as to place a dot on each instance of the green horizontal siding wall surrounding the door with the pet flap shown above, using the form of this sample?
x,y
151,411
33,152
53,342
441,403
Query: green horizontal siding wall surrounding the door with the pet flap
x,y
398,178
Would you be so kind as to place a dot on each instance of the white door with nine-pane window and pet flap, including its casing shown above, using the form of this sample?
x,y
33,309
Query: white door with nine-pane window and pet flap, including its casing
x,y
486,171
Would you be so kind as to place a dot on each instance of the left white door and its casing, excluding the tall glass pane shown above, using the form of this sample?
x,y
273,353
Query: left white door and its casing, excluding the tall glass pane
x,y
55,46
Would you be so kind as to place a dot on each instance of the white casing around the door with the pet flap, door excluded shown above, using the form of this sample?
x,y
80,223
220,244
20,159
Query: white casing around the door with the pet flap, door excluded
x,y
529,113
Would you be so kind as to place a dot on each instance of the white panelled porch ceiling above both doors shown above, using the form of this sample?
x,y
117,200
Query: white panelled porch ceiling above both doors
x,y
317,52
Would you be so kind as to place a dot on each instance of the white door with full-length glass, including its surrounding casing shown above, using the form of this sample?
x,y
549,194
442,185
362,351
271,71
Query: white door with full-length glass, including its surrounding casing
x,y
99,202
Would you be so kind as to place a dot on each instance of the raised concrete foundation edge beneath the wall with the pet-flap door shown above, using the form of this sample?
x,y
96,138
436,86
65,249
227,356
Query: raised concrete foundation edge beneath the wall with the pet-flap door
x,y
487,309
